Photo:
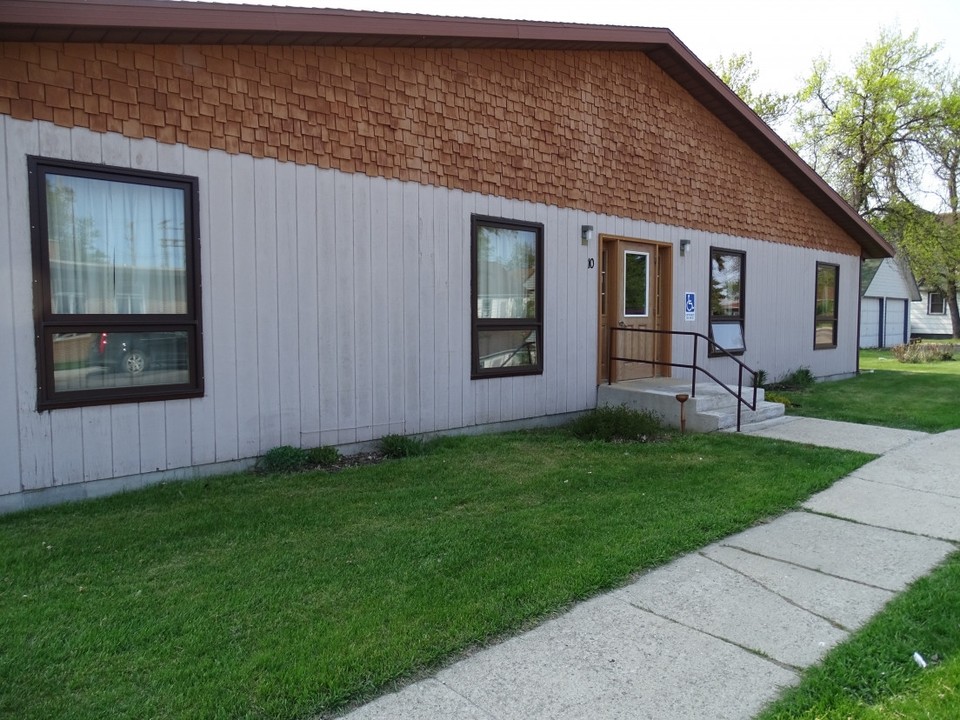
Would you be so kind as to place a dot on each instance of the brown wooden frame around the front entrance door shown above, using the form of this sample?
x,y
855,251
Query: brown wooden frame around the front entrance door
x,y
661,299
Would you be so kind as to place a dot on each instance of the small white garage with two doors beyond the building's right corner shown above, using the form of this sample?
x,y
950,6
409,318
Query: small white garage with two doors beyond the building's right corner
x,y
887,290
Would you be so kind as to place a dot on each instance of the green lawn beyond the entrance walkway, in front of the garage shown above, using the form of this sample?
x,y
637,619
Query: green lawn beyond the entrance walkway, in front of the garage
x,y
889,393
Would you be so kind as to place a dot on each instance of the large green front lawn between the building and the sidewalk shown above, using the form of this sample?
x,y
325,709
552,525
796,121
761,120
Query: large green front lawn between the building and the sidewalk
x,y
282,596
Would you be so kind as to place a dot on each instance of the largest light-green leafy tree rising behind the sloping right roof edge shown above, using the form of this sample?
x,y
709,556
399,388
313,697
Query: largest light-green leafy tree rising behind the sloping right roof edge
x,y
861,130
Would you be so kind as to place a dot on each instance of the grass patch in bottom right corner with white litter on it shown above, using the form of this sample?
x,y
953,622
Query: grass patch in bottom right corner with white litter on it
x,y
874,676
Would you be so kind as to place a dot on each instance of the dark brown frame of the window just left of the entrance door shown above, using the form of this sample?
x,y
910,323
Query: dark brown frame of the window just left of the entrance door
x,y
477,323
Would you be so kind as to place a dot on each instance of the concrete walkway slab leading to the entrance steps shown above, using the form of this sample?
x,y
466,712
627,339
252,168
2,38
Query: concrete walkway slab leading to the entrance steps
x,y
830,433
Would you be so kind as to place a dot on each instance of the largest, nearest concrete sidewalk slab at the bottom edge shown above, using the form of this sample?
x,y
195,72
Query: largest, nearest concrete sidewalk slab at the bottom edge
x,y
608,660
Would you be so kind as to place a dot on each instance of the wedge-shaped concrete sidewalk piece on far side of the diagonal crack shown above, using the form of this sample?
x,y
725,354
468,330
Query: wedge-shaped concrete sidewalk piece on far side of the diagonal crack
x,y
844,602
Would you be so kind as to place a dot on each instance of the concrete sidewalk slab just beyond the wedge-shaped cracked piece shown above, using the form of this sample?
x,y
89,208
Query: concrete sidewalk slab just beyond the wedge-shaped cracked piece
x,y
873,556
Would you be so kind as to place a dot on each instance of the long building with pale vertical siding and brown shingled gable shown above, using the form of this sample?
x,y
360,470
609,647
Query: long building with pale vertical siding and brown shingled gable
x,y
227,228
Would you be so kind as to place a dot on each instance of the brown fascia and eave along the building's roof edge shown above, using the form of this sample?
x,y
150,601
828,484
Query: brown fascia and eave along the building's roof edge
x,y
161,21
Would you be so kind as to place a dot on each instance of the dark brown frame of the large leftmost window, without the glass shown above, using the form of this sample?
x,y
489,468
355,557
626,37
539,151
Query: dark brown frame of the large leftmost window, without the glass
x,y
47,323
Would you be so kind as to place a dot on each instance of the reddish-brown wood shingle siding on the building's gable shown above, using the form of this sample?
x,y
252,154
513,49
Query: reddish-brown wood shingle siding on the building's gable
x,y
603,131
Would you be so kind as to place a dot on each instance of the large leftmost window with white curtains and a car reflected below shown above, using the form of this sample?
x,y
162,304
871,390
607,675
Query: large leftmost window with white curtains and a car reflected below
x,y
116,286
